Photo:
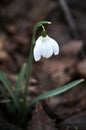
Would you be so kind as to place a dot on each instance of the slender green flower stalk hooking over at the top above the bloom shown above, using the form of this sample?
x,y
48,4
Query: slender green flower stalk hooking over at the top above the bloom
x,y
29,63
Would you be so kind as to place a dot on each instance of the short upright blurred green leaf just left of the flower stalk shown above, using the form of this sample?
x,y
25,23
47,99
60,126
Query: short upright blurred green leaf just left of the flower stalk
x,y
20,79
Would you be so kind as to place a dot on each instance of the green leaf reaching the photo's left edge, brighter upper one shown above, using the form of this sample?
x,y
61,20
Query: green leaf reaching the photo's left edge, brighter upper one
x,y
9,88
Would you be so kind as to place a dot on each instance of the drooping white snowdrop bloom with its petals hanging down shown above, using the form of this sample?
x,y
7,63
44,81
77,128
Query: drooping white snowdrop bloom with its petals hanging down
x,y
46,47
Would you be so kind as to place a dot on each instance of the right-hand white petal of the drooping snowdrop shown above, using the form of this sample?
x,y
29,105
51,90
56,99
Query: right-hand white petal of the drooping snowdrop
x,y
54,45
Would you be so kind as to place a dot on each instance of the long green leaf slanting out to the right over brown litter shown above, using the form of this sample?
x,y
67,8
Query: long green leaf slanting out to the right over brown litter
x,y
56,91
